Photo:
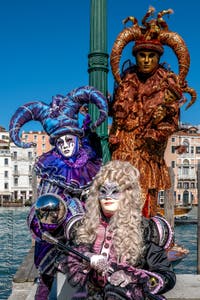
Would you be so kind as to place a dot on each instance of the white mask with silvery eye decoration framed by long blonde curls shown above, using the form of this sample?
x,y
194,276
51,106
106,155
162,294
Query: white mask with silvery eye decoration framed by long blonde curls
x,y
109,197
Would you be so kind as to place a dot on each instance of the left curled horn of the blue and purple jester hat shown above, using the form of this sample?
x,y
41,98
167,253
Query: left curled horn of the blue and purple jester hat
x,y
30,111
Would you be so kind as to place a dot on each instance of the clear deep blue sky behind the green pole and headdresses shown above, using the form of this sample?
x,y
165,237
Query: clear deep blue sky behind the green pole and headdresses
x,y
45,46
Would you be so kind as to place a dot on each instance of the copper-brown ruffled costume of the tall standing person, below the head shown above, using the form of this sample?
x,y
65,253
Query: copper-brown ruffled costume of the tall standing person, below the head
x,y
142,123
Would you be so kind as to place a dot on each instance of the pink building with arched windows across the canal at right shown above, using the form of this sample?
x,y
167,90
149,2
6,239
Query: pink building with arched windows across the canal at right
x,y
183,156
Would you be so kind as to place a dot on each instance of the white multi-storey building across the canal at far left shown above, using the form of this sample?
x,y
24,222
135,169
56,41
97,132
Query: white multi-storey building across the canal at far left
x,y
16,174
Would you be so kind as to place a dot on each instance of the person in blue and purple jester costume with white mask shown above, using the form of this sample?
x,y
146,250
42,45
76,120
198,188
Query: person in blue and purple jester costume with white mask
x,y
65,172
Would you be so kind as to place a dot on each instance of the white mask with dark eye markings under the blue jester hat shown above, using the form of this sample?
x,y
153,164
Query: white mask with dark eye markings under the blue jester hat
x,y
67,145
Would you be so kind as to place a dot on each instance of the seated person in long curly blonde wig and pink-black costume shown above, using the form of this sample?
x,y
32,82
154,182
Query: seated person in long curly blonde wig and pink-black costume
x,y
127,251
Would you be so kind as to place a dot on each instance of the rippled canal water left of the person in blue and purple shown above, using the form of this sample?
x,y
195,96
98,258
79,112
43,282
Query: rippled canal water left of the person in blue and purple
x,y
15,242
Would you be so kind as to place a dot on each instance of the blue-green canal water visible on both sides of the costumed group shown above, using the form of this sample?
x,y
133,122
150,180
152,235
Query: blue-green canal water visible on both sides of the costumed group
x,y
15,242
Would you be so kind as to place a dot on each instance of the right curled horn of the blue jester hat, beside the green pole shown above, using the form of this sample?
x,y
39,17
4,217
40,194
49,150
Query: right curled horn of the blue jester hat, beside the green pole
x,y
89,94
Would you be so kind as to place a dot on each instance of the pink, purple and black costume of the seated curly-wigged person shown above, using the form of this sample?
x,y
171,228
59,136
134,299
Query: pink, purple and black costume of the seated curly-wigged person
x,y
152,276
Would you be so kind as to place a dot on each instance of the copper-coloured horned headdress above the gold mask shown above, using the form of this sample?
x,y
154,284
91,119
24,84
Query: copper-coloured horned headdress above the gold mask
x,y
152,36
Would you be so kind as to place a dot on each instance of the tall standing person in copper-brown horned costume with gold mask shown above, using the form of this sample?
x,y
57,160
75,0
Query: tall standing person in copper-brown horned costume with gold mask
x,y
147,100
